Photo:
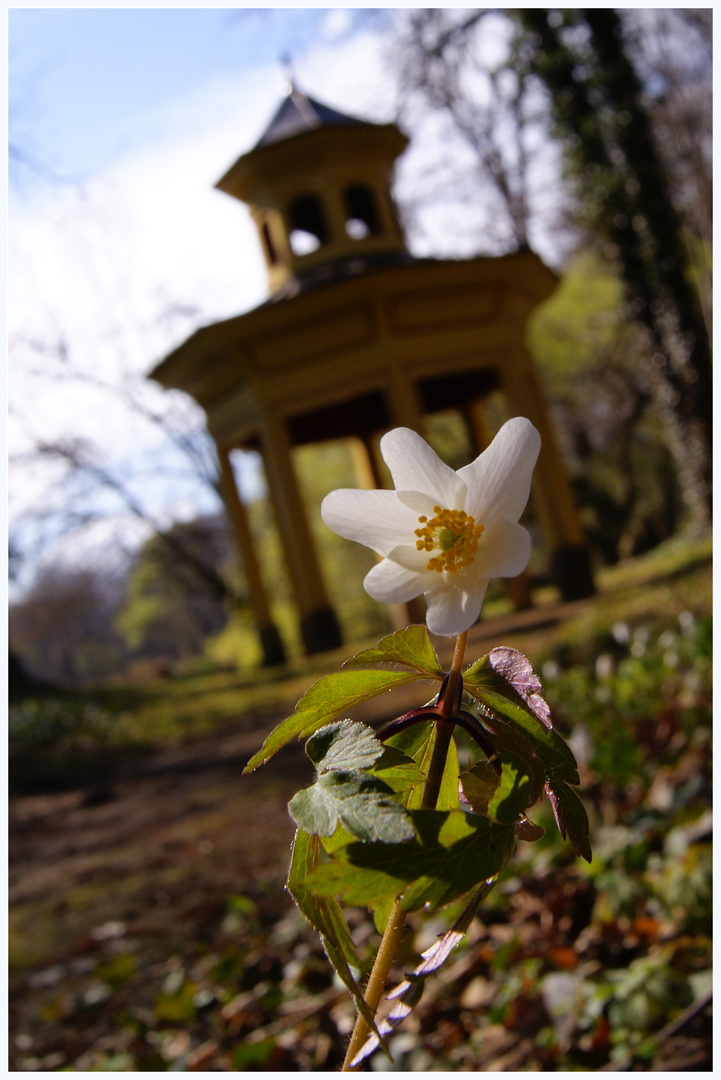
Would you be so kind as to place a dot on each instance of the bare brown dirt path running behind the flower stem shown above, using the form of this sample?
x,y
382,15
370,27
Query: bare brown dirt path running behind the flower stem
x,y
155,857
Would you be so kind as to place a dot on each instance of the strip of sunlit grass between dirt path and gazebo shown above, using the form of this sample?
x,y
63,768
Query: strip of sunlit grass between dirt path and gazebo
x,y
61,740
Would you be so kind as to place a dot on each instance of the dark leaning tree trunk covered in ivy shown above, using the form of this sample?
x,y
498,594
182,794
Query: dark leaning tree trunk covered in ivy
x,y
598,103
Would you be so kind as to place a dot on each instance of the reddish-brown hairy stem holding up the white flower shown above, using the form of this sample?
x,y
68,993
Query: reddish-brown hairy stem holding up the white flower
x,y
397,921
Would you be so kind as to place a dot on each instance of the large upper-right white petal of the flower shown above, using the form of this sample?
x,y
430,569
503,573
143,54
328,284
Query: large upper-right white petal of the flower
x,y
499,481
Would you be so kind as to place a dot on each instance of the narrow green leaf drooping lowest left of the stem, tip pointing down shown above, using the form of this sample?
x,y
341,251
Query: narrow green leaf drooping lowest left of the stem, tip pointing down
x,y
325,915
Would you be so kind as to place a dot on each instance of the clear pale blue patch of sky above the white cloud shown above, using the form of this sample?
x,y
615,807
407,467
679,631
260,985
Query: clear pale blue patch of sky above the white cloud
x,y
89,86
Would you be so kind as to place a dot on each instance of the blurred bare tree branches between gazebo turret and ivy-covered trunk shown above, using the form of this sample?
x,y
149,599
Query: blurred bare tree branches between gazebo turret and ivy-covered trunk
x,y
464,80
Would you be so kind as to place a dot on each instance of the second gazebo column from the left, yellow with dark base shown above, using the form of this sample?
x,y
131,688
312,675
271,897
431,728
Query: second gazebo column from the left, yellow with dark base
x,y
319,625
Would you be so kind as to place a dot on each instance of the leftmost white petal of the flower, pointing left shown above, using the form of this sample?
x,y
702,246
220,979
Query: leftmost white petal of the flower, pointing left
x,y
375,519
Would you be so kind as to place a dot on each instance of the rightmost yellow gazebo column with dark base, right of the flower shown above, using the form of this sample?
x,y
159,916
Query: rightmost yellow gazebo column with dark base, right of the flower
x,y
572,568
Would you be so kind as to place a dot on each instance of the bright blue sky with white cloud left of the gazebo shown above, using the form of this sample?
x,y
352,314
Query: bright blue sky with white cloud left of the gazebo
x,y
132,116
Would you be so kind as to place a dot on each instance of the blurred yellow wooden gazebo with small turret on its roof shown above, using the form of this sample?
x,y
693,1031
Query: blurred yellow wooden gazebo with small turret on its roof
x,y
358,337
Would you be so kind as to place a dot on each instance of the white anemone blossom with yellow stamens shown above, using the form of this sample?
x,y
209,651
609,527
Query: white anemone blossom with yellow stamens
x,y
442,533
